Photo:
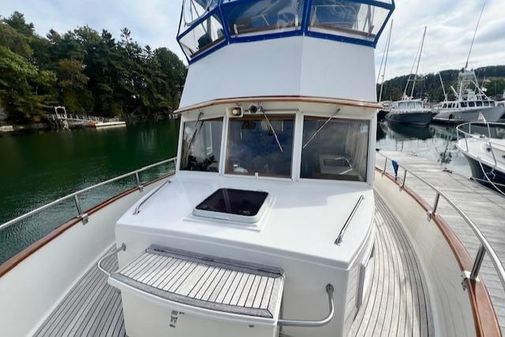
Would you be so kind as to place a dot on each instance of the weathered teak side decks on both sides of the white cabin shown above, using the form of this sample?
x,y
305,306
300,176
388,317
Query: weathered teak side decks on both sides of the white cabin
x,y
398,304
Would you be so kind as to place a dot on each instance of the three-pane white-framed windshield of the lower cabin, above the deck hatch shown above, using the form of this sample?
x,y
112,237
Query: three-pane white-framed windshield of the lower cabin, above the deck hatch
x,y
283,158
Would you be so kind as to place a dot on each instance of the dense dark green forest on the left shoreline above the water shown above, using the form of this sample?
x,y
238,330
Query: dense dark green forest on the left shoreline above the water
x,y
87,71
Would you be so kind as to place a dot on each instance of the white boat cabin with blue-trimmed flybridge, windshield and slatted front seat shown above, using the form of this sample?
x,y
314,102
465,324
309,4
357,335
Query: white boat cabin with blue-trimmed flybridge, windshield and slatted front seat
x,y
273,179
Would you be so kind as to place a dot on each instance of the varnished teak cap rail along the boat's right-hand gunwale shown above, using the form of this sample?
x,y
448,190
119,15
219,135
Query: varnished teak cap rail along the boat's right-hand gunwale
x,y
486,323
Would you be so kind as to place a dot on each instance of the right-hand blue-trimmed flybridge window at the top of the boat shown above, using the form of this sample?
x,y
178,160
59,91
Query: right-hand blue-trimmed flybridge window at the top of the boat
x,y
347,18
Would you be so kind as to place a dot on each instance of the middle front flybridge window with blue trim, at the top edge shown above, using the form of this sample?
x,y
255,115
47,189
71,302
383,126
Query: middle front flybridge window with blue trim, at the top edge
x,y
251,17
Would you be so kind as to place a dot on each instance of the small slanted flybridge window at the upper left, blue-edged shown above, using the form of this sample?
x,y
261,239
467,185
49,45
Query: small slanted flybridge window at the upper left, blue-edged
x,y
203,36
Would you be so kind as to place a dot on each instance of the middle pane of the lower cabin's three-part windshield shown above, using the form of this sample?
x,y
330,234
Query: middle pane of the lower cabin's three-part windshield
x,y
260,145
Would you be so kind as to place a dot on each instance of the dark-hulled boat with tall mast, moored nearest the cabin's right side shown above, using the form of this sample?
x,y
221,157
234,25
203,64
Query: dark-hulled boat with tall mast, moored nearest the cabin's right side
x,y
409,110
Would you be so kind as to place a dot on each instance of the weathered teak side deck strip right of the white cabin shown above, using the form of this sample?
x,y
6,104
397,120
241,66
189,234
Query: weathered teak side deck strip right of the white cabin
x,y
398,303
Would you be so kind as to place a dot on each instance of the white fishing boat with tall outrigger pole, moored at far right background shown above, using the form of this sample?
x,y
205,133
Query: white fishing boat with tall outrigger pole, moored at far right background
x,y
470,100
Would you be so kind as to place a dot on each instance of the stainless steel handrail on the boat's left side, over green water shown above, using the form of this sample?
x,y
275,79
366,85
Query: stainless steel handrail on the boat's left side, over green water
x,y
75,195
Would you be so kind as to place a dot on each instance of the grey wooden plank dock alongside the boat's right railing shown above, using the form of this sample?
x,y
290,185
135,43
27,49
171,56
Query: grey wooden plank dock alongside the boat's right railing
x,y
485,207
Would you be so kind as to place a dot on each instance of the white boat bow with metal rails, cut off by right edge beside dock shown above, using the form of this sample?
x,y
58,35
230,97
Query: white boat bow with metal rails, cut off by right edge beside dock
x,y
483,145
